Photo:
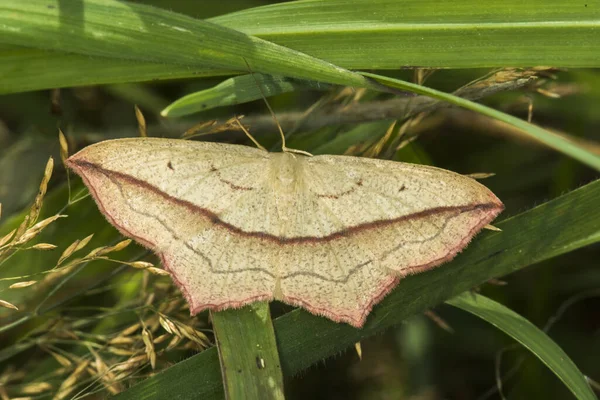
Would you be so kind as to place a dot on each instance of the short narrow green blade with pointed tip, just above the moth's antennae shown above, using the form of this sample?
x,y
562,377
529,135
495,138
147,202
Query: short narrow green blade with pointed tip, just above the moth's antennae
x,y
238,90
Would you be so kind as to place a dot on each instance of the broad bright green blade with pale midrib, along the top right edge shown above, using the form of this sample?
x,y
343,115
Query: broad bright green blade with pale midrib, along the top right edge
x,y
390,34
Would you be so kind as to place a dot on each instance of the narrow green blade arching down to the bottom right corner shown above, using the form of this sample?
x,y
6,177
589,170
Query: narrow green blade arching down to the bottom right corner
x,y
529,336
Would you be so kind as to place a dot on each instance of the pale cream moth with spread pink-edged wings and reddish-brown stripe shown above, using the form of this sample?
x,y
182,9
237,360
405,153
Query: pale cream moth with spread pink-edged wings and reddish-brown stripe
x,y
236,224
